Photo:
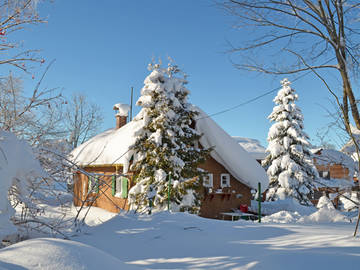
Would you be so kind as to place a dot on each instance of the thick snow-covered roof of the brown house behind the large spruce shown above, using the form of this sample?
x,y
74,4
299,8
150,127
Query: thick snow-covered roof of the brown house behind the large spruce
x,y
112,147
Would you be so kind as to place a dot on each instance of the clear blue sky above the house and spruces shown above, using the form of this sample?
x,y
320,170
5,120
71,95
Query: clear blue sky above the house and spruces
x,y
102,48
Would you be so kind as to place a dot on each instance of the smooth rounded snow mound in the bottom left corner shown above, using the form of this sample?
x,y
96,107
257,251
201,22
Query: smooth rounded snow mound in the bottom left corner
x,y
48,254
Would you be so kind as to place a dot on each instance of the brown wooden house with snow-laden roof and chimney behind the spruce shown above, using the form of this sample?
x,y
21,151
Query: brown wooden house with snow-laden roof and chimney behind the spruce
x,y
232,172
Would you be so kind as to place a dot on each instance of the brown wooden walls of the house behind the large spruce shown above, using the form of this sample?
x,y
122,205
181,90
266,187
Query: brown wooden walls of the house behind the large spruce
x,y
212,205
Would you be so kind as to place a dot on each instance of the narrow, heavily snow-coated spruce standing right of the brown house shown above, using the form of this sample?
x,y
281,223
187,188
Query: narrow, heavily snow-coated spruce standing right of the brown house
x,y
290,168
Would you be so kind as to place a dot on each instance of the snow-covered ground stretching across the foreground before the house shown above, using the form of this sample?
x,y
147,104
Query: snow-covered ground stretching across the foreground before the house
x,y
183,241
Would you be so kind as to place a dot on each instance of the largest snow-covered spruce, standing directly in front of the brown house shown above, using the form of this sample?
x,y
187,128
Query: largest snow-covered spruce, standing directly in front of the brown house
x,y
166,146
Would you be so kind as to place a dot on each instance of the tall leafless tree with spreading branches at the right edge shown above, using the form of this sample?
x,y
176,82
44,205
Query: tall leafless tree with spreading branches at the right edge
x,y
315,35
